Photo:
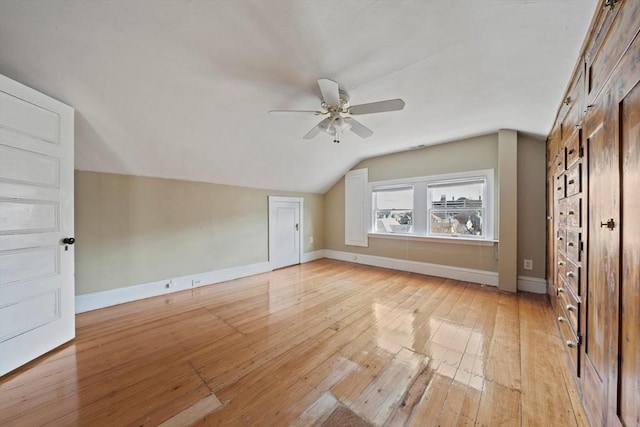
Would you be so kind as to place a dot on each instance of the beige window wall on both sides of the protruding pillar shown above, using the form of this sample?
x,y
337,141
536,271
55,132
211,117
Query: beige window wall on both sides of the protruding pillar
x,y
465,155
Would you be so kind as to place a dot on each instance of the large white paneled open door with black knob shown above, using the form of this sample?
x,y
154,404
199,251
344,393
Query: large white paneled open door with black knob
x,y
36,224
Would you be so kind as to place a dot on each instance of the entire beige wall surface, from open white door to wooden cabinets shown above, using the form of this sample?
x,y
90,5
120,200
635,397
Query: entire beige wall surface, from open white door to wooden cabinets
x,y
133,230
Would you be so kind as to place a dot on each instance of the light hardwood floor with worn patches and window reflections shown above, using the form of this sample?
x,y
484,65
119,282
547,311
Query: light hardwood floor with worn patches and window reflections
x,y
324,343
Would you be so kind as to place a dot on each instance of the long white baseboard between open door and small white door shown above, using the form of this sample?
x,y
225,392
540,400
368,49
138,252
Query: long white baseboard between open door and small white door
x,y
96,300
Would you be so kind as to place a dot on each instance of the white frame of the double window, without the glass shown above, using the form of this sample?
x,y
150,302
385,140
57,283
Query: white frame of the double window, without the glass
x,y
421,200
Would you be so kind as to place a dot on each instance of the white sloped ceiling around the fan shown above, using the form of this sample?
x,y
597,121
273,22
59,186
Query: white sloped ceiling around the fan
x,y
181,89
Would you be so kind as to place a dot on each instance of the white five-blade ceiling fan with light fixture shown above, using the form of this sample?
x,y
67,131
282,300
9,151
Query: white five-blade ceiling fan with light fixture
x,y
335,105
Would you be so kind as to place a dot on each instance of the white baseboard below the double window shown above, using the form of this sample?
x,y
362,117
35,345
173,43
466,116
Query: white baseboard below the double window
x,y
457,273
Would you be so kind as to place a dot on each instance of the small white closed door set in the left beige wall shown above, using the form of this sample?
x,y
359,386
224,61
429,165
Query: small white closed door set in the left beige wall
x,y
285,229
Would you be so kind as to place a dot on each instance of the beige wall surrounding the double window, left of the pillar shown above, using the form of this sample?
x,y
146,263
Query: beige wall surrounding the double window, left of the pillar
x,y
466,155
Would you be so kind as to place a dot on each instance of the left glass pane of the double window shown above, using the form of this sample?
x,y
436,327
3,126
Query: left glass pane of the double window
x,y
393,210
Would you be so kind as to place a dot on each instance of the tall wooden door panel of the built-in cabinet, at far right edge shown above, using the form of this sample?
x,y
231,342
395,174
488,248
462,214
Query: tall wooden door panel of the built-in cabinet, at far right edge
x,y
629,342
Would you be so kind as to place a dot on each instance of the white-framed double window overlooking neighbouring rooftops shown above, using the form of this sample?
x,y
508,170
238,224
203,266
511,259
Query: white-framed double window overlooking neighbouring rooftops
x,y
447,206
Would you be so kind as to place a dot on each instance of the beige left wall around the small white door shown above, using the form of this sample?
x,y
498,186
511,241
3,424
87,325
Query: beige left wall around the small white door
x,y
134,230
